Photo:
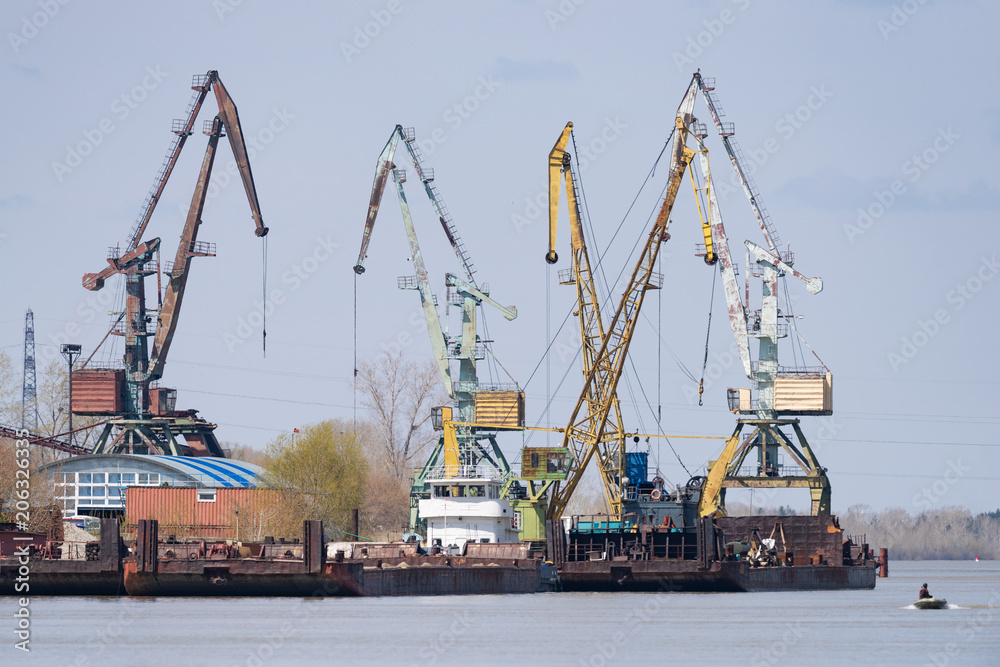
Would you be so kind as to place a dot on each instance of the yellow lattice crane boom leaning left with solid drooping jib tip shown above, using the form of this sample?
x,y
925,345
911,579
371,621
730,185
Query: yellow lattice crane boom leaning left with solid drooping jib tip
x,y
610,447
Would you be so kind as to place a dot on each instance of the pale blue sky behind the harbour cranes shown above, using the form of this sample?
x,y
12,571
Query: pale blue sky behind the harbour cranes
x,y
322,98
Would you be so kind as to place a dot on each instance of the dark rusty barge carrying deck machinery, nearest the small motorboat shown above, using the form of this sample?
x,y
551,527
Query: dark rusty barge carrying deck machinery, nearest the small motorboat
x,y
659,543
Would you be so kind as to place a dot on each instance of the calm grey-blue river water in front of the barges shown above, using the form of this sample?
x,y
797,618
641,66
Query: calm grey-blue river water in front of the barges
x,y
579,629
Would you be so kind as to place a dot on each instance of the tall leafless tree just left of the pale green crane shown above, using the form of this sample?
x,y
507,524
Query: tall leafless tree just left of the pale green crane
x,y
400,394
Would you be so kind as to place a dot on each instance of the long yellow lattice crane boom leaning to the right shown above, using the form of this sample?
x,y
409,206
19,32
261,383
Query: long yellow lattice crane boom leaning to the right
x,y
586,426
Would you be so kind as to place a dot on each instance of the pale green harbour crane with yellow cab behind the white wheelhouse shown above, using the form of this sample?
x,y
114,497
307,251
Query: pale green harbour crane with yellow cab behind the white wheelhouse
x,y
479,412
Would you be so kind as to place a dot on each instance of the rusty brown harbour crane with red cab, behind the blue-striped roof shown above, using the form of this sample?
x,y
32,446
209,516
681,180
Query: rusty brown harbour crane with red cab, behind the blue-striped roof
x,y
142,416
